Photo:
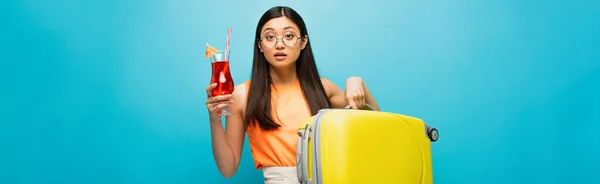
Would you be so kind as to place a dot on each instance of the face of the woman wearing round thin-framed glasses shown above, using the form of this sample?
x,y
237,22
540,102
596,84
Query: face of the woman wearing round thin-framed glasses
x,y
281,43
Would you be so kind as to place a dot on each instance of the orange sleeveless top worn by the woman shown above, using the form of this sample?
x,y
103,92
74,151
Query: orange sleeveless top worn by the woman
x,y
278,147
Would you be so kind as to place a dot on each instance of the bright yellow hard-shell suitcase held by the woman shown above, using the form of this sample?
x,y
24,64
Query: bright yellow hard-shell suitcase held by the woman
x,y
347,146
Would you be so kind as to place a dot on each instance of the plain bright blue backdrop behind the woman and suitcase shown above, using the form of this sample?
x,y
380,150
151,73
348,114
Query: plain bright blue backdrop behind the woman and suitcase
x,y
113,91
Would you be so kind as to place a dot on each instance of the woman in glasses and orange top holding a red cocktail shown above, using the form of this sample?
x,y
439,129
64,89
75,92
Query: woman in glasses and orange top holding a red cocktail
x,y
285,89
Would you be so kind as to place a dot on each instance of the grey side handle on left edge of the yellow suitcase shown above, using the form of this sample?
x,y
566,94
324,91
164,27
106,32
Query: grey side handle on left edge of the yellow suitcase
x,y
302,149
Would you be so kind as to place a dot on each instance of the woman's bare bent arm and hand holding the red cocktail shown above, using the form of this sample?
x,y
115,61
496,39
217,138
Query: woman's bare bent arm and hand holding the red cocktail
x,y
227,142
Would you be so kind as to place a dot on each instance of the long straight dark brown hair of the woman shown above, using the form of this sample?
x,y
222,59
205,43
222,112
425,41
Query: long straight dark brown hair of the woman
x,y
259,95
